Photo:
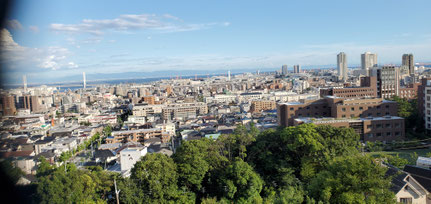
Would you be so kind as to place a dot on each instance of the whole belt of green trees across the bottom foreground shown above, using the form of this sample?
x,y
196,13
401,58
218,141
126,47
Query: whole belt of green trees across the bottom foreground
x,y
302,164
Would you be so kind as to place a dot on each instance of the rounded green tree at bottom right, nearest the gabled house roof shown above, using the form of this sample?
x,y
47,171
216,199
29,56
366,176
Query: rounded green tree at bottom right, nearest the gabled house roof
x,y
352,179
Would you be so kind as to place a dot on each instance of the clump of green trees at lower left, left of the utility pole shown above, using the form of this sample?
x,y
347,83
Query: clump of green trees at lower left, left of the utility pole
x,y
67,184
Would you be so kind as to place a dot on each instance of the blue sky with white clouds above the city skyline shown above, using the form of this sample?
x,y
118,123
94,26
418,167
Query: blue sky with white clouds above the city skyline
x,y
47,39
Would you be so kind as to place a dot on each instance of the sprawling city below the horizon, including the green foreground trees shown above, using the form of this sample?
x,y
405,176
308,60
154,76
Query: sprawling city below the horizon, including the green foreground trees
x,y
345,135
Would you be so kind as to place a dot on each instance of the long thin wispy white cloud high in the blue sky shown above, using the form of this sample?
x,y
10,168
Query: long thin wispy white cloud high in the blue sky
x,y
165,23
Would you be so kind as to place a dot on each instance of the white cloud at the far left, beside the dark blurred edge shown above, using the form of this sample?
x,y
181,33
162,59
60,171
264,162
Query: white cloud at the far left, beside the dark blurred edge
x,y
17,57
